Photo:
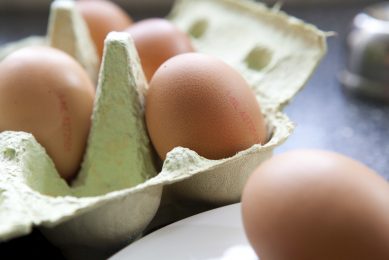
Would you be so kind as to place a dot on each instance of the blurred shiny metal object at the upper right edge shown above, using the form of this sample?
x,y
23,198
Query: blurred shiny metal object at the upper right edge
x,y
367,71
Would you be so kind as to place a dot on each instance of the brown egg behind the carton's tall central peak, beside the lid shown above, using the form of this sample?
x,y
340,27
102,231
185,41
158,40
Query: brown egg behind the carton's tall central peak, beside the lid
x,y
156,41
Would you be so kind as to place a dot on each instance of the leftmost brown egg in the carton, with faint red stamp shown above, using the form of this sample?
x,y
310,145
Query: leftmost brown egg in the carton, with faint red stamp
x,y
45,92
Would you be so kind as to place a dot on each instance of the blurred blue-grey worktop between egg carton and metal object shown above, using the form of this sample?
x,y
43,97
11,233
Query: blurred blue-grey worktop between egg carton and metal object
x,y
330,118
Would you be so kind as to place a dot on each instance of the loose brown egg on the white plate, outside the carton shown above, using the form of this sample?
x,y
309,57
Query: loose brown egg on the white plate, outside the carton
x,y
310,204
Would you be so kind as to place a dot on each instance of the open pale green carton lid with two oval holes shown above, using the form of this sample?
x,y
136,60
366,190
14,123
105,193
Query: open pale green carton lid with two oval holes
x,y
275,53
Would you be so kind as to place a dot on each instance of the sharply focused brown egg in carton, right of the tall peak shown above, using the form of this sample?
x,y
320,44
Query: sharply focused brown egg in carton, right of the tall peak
x,y
199,102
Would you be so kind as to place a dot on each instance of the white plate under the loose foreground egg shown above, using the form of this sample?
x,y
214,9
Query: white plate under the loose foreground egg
x,y
213,235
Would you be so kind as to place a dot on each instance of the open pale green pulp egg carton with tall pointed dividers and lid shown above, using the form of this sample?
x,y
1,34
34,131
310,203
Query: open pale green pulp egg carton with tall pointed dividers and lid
x,y
120,192
